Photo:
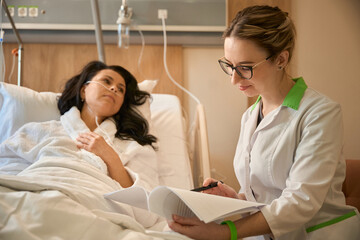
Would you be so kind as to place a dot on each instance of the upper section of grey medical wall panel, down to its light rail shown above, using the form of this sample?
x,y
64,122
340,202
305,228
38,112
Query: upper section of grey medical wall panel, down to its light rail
x,y
183,15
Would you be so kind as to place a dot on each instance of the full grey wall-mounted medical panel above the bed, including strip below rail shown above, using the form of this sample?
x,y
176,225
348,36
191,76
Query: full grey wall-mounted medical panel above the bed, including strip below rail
x,y
70,21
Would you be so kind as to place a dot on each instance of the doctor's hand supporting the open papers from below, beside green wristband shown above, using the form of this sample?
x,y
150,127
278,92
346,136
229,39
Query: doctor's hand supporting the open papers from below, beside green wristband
x,y
196,229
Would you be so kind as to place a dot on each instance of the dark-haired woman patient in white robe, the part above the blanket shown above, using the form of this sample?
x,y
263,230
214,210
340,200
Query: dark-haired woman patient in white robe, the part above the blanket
x,y
98,125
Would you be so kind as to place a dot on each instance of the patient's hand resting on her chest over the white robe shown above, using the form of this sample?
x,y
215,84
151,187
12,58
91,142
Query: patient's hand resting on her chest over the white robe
x,y
96,144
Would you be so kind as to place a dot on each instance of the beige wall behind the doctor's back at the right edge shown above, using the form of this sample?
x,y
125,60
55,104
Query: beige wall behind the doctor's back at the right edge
x,y
327,55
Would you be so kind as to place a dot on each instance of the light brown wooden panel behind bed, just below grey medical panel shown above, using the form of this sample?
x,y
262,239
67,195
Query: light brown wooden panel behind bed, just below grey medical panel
x,y
46,67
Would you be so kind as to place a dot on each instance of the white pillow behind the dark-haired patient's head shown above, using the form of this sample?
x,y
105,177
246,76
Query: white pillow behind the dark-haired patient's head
x,y
20,105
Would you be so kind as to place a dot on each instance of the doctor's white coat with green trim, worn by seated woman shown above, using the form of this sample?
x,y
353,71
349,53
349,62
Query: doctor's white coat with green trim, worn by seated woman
x,y
293,162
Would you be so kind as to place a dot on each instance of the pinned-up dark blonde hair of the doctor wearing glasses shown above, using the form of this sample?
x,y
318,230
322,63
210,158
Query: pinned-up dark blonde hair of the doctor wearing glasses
x,y
269,27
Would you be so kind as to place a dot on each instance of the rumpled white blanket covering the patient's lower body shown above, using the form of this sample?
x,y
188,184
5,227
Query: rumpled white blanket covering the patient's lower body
x,y
65,201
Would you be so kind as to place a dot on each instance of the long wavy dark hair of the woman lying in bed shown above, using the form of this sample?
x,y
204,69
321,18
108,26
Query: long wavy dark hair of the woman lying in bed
x,y
130,124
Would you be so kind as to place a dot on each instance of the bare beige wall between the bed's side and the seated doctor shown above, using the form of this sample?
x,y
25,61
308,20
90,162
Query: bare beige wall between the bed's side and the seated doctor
x,y
223,103
